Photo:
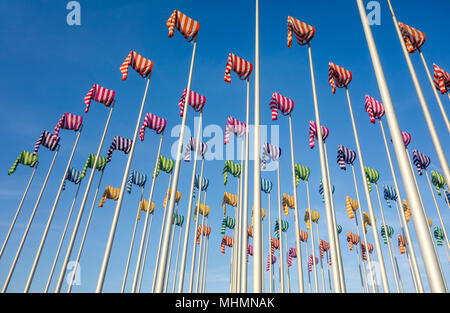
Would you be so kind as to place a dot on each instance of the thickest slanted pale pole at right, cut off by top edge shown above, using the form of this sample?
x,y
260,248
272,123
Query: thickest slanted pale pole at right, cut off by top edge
x,y
425,241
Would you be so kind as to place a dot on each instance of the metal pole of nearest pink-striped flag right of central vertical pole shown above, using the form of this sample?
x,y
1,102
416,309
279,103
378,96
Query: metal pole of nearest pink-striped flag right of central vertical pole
x,y
296,215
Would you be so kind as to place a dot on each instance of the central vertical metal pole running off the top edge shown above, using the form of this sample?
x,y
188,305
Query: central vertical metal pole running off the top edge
x,y
257,234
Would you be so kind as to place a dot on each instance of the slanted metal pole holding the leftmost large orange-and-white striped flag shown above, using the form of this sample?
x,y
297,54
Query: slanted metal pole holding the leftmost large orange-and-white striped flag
x,y
112,233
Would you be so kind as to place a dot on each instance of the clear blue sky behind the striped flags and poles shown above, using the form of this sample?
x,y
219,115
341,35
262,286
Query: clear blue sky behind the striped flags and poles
x,y
49,66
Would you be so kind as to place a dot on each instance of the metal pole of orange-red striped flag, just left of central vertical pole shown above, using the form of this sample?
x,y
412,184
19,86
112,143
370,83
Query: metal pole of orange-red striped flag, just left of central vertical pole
x,y
245,197
